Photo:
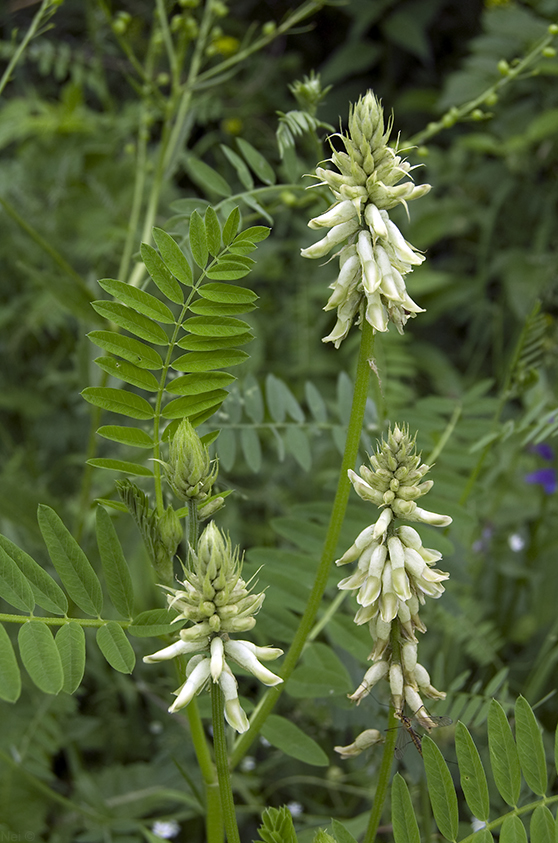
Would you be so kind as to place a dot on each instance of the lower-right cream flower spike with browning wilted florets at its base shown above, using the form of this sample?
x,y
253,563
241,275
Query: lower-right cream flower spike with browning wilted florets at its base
x,y
395,574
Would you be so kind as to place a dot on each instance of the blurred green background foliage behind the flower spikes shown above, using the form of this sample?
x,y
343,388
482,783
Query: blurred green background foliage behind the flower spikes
x,y
475,375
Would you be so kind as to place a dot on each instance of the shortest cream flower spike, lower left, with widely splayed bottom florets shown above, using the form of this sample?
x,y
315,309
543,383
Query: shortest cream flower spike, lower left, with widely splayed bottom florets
x,y
217,602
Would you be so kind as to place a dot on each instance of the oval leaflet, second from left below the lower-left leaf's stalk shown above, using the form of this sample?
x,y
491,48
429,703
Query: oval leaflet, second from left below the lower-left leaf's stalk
x,y
40,656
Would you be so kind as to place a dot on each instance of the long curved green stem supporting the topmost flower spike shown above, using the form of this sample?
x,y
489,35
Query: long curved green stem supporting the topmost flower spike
x,y
336,522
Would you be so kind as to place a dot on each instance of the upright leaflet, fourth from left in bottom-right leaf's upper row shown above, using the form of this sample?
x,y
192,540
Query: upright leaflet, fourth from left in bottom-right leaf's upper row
x,y
504,757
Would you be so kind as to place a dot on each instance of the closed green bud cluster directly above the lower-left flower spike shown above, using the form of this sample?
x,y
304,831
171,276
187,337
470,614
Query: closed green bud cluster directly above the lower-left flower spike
x,y
189,472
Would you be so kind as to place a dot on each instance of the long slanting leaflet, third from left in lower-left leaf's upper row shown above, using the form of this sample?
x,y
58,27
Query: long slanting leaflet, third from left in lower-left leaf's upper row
x,y
71,563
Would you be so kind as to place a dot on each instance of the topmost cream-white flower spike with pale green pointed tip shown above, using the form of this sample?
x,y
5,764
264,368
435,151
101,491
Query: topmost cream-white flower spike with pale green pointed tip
x,y
373,255
